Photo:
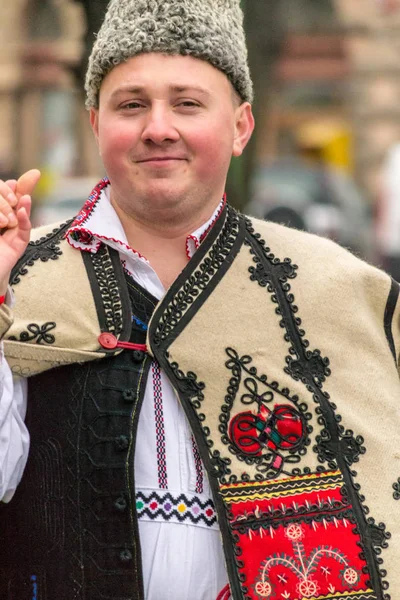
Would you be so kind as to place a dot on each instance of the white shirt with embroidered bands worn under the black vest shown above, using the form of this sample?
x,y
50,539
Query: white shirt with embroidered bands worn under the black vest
x,y
181,547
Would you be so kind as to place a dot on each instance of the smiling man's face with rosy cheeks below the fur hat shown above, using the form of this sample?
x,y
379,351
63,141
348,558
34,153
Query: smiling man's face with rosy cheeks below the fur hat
x,y
167,127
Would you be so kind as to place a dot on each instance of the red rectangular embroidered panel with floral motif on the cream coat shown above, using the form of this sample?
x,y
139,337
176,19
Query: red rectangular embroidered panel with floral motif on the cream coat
x,y
278,527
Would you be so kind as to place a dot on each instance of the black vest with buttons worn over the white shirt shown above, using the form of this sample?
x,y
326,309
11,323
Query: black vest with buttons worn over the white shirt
x,y
71,529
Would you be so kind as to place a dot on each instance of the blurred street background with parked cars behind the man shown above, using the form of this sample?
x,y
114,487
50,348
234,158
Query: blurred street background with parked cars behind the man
x,y
326,153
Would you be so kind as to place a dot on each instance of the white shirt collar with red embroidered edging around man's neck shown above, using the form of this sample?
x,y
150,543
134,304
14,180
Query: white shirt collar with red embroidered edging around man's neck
x,y
98,222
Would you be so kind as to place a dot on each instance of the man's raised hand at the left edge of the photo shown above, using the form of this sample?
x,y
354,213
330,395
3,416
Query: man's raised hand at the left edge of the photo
x,y
15,225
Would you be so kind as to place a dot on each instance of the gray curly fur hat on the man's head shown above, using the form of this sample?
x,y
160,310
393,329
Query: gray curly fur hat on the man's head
x,y
211,30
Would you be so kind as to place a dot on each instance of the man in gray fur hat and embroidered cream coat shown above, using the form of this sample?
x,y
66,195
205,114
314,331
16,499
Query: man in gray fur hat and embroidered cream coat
x,y
184,363
